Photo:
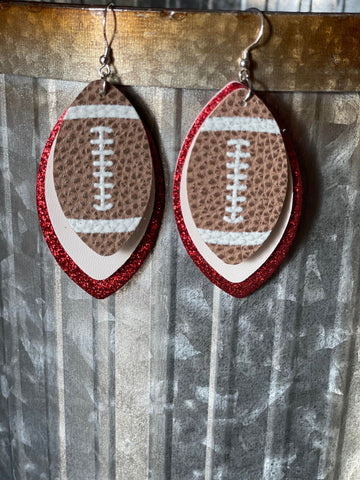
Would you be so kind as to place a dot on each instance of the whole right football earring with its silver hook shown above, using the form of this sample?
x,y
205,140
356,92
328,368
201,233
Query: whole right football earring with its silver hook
x,y
237,188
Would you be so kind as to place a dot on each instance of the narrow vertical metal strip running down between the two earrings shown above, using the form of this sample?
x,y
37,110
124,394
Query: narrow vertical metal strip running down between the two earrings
x,y
165,109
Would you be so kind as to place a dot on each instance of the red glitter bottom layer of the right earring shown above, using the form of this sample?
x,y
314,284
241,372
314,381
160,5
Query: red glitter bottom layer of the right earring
x,y
252,283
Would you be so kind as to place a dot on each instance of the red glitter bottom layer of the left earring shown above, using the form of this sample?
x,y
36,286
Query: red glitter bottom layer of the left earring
x,y
99,288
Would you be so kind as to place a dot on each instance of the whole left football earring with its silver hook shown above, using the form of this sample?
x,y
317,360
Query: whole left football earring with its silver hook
x,y
100,188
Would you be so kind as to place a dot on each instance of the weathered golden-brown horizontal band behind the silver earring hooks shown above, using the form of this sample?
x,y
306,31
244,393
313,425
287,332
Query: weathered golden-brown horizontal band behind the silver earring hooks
x,y
178,48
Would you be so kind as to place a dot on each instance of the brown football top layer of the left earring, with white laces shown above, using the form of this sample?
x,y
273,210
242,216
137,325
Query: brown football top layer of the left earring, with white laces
x,y
103,169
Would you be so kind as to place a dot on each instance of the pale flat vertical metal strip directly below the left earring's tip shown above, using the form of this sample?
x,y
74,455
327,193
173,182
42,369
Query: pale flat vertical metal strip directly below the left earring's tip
x,y
132,359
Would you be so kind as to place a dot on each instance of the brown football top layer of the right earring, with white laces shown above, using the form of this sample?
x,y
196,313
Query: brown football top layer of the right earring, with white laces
x,y
237,177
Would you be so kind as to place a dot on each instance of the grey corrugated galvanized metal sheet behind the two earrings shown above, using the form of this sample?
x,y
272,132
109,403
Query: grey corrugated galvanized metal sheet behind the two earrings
x,y
170,378
